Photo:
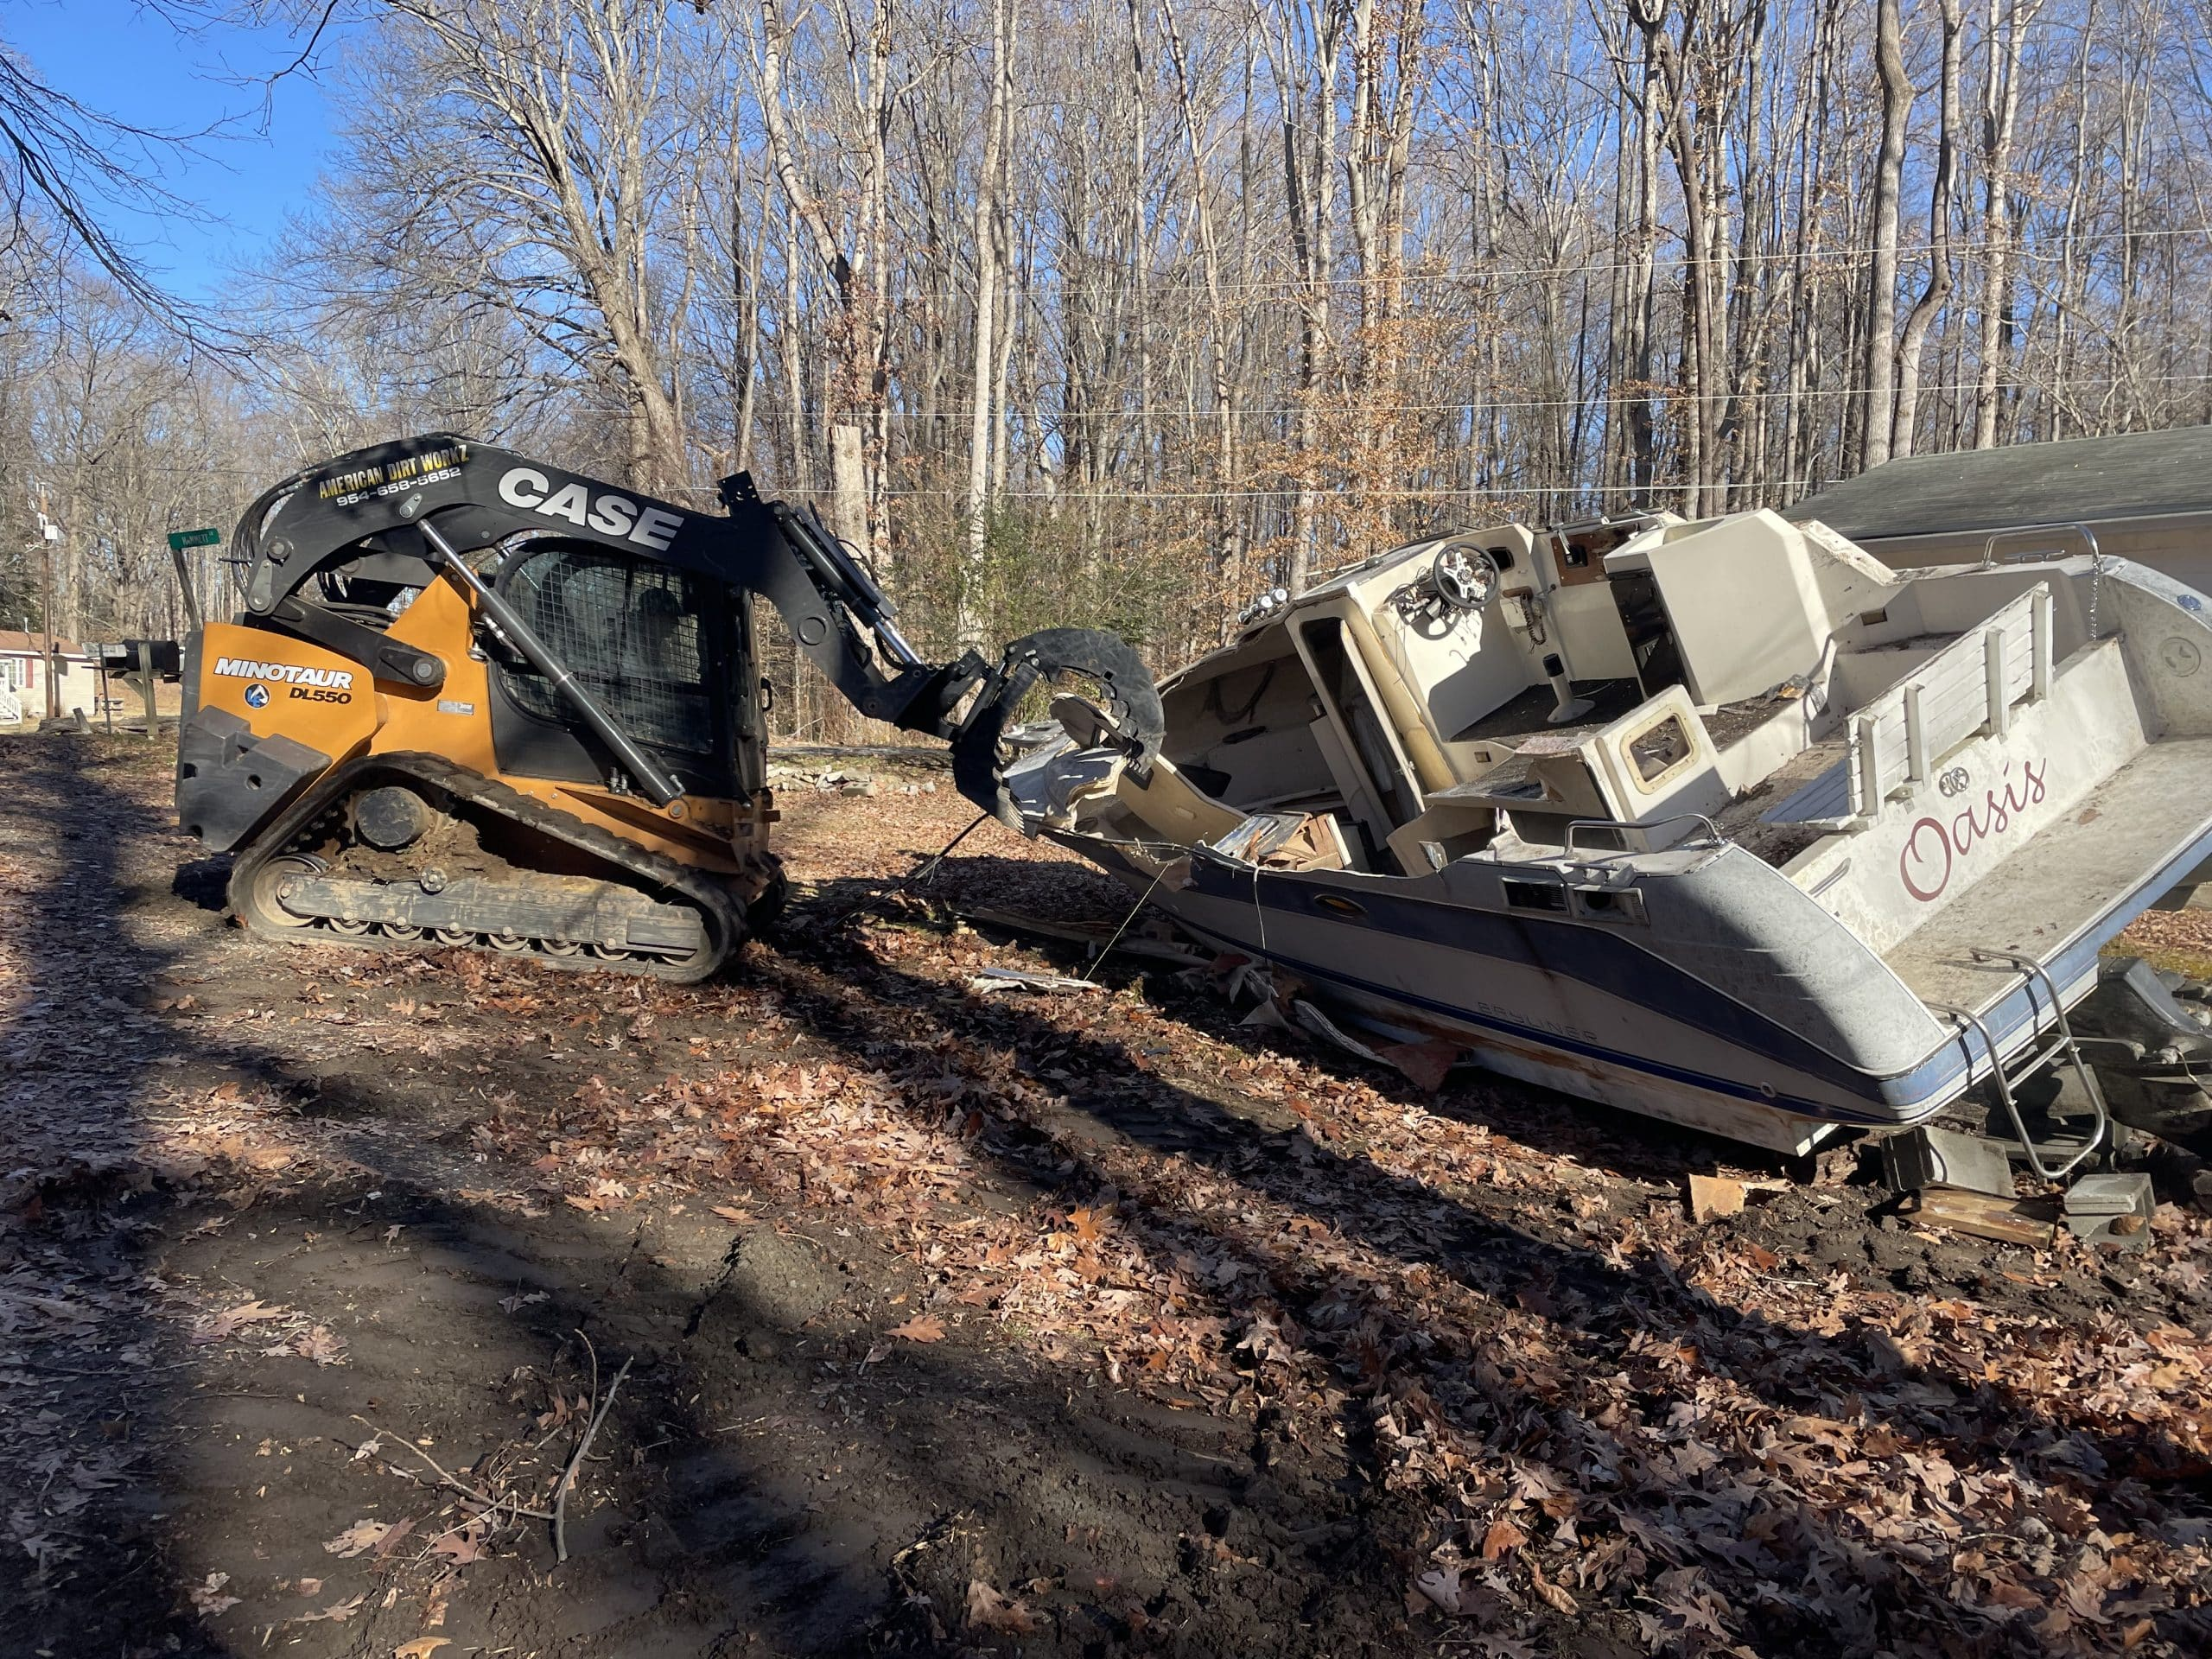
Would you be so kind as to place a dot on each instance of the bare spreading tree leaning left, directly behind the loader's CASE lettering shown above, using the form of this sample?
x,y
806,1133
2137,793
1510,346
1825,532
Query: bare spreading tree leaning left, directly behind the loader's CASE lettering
x,y
530,180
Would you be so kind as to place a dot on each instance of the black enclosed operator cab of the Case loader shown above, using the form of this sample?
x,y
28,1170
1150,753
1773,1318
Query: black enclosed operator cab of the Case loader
x,y
665,651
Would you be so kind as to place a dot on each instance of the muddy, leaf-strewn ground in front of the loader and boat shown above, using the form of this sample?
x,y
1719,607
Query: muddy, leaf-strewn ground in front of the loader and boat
x,y
919,1319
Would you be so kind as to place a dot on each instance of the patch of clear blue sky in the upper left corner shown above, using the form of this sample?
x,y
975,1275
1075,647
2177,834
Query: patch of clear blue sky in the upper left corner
x,y
129,63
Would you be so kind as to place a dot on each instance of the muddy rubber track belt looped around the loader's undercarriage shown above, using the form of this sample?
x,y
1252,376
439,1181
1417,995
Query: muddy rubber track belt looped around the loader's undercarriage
x,y
291,833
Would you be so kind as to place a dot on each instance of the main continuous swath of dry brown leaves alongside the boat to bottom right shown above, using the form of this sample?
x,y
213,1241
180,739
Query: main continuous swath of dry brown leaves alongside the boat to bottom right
x,y
1607,1406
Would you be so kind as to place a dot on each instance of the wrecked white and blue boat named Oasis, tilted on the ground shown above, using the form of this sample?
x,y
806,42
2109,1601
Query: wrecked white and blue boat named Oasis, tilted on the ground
x,y
1718,822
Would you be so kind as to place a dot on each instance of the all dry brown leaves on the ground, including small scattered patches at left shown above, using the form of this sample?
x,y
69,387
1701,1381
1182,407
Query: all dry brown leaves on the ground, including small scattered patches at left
x,y
1609,1415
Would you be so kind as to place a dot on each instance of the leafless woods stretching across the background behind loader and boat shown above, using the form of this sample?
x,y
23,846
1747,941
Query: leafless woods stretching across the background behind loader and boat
x,y
1085,313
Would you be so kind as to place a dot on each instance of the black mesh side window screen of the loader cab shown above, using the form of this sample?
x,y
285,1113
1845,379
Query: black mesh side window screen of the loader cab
x,y
632,634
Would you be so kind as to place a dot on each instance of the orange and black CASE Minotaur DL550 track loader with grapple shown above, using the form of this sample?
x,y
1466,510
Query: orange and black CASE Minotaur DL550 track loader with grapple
x,y
477,700
